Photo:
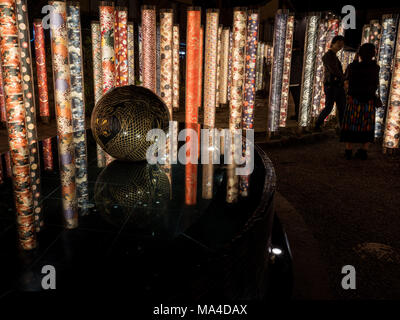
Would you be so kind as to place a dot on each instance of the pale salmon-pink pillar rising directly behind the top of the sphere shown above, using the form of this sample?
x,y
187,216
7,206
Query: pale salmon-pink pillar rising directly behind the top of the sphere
x,y
149,47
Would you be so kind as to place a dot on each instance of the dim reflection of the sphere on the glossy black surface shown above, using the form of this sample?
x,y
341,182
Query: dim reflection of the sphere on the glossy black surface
x,y
138,192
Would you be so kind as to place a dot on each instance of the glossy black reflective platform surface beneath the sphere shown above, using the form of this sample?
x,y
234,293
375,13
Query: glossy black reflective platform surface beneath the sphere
x,y
163,249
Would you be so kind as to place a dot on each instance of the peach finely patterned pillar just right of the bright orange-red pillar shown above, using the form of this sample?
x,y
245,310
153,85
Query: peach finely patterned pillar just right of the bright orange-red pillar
x,y
210,66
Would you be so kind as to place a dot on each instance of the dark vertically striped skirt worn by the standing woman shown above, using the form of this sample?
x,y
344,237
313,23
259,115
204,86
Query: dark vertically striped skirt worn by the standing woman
x,y
358,121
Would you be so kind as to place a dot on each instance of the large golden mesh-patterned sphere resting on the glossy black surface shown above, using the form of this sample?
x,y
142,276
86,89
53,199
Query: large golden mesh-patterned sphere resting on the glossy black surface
x,y
121,119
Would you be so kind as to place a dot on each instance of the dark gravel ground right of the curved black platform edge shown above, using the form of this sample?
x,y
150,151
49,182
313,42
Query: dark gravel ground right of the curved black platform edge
x,y
353,210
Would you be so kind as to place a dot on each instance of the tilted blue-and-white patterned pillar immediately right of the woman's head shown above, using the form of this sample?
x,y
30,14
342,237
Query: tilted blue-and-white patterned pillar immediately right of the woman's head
x,y
386,52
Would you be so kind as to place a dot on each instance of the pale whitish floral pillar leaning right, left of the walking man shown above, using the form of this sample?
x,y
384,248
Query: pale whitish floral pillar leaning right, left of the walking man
x,y
310,49
